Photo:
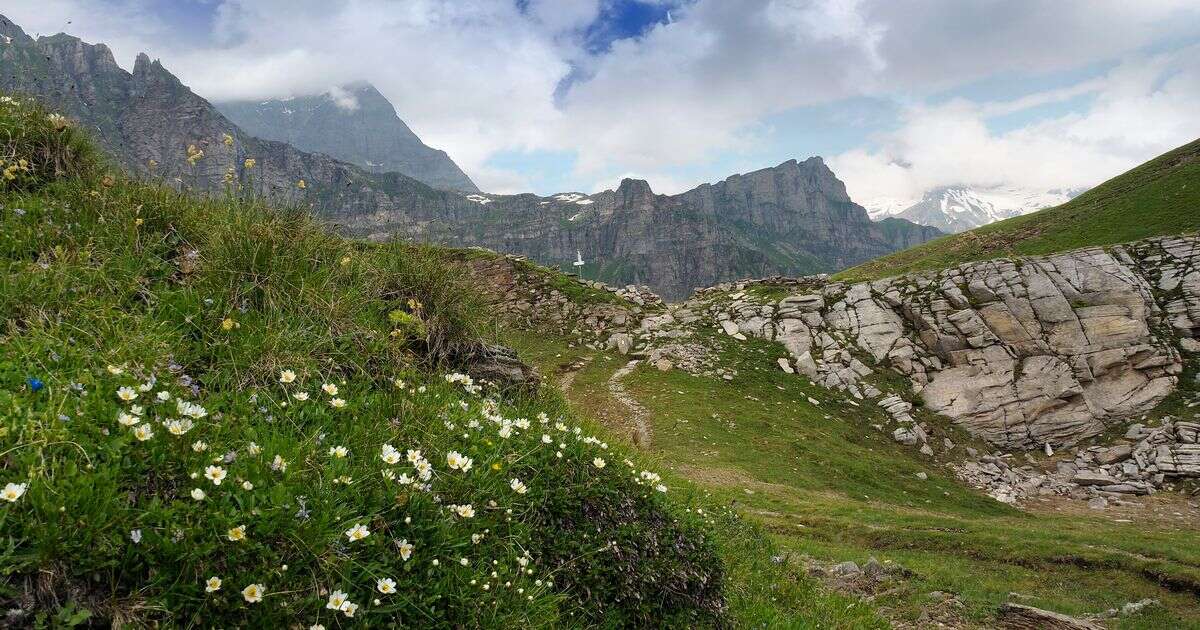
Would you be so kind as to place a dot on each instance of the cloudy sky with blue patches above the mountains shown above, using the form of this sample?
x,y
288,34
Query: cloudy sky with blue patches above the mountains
x,y
898,97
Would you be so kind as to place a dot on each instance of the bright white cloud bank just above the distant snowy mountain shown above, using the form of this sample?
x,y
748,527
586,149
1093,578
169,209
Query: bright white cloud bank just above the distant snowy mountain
x,y
1144,107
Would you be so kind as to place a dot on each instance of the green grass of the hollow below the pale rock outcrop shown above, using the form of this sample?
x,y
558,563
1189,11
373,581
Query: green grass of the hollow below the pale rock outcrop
x,y
830,487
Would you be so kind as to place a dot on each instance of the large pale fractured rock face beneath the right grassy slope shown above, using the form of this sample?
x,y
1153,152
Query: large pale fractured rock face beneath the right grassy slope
x,y
1023,352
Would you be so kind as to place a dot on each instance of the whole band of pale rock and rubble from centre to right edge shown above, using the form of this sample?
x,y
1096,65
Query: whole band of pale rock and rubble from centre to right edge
x,y
1035,353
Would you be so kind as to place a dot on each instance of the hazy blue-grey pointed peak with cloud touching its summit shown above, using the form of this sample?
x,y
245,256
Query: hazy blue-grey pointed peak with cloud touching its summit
x,y
356,124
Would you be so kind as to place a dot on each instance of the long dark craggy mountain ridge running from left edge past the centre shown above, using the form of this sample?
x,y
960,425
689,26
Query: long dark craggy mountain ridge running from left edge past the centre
x,y
789,220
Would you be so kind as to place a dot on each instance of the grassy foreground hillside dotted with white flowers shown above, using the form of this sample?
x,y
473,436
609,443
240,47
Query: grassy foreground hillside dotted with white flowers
x,y
214,413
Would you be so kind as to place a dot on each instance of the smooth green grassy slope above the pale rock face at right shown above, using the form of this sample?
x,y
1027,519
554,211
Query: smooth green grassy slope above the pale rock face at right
x,y
1160,197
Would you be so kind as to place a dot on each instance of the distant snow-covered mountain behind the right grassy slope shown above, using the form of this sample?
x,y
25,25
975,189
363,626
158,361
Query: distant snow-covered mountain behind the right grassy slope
x,y
962,208
